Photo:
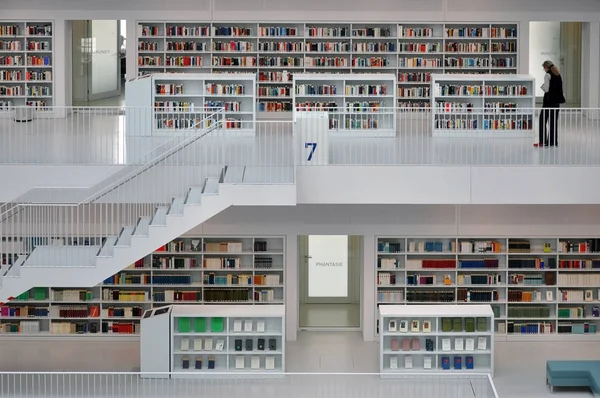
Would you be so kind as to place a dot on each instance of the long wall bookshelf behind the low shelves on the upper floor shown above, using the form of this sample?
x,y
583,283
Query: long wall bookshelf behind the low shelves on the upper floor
x,y
275,51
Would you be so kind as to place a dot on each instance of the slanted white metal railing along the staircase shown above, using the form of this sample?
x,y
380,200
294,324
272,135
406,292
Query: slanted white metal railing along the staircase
x,y
54,216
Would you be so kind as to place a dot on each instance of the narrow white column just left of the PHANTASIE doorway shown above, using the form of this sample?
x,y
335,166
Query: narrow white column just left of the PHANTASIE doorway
x,y
291,287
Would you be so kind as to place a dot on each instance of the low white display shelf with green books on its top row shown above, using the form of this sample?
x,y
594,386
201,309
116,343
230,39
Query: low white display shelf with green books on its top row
x,y
232,339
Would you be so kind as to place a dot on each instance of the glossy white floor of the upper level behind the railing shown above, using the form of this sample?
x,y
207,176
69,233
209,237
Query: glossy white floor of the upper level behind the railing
x,y
98,137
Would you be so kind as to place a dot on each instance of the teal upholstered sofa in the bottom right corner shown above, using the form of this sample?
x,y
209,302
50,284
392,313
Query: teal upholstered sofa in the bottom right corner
x,y
574,374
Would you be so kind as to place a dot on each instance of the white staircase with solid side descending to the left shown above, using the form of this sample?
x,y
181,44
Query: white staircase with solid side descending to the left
x,y
82,266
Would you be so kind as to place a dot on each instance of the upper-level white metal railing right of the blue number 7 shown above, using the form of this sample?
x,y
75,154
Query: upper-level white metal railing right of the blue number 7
x,y
459,137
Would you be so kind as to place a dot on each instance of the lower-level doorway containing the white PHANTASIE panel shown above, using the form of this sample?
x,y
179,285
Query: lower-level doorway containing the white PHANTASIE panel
x,y
329,283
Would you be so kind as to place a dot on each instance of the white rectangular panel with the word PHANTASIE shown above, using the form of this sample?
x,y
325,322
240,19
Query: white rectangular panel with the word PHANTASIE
x,y
327,266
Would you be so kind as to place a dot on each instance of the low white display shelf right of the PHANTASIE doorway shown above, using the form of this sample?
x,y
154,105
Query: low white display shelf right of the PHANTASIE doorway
x,y
436,339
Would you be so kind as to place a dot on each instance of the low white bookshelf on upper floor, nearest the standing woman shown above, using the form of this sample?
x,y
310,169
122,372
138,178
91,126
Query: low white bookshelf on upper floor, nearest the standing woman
x,y
489,105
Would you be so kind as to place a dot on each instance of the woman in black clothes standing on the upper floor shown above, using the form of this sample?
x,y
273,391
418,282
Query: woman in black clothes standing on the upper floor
x,y
553,97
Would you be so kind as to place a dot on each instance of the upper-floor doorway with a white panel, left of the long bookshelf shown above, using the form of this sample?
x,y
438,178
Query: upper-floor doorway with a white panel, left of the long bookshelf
x,y
97,54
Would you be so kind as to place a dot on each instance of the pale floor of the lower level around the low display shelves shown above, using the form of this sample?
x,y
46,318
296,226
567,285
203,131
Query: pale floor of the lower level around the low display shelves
x,y
519,373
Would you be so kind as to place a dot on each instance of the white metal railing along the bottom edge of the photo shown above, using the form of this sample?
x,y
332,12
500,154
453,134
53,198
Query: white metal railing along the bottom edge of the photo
x,y
215,385
